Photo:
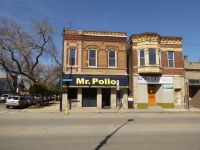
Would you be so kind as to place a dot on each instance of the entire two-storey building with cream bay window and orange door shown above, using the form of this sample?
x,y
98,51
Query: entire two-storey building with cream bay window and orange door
x,y
157,70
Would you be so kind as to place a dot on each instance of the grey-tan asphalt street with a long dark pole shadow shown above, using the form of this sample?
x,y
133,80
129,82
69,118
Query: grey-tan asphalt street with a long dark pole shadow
x,y
94,131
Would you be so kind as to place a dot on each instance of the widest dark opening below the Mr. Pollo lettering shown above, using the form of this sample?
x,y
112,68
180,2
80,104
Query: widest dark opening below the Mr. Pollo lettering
x,y
89,97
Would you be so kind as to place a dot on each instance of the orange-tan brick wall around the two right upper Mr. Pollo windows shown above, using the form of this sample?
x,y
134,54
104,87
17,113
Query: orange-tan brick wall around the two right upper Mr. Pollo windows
x,y
102,48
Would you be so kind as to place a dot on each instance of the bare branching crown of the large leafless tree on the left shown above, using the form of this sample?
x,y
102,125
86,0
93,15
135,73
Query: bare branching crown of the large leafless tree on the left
x,y
21,50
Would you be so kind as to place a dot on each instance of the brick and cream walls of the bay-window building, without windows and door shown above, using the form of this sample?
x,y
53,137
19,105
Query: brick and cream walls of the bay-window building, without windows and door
x,y
162,45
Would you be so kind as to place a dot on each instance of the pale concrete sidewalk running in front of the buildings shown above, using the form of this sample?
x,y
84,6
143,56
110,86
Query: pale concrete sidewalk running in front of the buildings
x,y
54,107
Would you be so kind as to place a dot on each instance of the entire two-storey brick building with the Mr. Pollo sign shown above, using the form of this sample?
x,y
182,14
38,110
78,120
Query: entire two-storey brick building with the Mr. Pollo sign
x,y
93,61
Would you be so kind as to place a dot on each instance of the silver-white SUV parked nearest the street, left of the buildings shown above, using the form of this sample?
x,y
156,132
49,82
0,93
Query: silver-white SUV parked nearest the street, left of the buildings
x,y
16,101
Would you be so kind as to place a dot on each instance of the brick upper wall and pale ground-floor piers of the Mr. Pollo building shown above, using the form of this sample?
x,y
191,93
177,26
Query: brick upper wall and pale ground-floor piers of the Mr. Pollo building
x,y
101,41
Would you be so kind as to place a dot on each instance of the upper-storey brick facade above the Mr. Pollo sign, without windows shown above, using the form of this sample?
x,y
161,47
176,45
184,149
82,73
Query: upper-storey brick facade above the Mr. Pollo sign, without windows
x,y
102,42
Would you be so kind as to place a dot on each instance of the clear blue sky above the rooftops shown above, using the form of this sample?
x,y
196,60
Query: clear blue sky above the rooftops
x,y
167,18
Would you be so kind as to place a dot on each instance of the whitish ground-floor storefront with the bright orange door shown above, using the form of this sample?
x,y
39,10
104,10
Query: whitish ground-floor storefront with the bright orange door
x,y
155,91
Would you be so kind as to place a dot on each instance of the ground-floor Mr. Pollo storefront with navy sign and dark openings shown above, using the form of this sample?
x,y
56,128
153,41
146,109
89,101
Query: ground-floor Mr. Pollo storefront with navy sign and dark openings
x,y
94,91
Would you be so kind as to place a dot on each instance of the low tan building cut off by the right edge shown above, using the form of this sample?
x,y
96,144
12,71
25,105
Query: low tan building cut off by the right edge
x,y
192,77
